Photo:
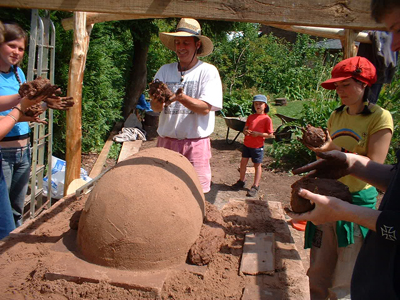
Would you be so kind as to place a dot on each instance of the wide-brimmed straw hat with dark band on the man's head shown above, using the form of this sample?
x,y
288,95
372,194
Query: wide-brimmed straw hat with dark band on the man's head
x,y
187,27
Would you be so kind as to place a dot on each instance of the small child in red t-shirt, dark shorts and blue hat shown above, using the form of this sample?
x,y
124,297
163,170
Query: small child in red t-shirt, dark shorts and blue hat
x,y
258,127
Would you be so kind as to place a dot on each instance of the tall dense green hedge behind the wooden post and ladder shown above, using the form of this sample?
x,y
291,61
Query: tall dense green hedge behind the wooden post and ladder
x,y
105,79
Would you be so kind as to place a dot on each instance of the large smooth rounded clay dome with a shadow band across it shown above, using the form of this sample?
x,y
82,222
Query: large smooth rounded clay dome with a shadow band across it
x,y
143,214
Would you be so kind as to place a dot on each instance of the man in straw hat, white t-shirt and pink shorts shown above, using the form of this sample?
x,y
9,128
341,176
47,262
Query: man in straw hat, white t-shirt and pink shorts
x,y
188,119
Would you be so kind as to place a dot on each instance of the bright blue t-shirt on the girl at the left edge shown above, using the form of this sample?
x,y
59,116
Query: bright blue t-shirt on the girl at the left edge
x,y
9,85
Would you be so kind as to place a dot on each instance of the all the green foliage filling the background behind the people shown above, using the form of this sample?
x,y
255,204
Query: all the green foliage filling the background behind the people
x,y
248,63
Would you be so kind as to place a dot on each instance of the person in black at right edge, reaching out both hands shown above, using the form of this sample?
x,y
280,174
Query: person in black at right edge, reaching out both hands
x,y
376,274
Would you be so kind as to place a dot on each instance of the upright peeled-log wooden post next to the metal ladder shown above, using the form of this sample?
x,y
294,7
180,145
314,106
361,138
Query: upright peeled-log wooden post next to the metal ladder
x,y
74,114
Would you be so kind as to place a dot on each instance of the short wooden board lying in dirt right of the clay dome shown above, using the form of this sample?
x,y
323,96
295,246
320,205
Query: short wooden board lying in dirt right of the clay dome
x,y
258,254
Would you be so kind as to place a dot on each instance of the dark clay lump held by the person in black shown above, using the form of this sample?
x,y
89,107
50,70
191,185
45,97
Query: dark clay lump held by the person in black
x,y
323,186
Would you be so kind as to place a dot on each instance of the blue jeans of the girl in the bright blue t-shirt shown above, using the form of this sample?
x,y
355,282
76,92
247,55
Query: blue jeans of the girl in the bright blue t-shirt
x,y
16,165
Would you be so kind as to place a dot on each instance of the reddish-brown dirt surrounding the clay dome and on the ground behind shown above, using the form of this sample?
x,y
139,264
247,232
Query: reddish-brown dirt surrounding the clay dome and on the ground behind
x,y
27,255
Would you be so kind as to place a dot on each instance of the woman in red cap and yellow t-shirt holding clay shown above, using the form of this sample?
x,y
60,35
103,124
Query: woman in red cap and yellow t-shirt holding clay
x,y
355,127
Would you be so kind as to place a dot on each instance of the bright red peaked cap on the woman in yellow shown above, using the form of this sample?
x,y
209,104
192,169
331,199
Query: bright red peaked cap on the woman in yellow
x,y
356,67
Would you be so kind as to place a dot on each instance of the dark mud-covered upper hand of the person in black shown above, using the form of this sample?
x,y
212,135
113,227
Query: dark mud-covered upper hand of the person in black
x,y
333,165
